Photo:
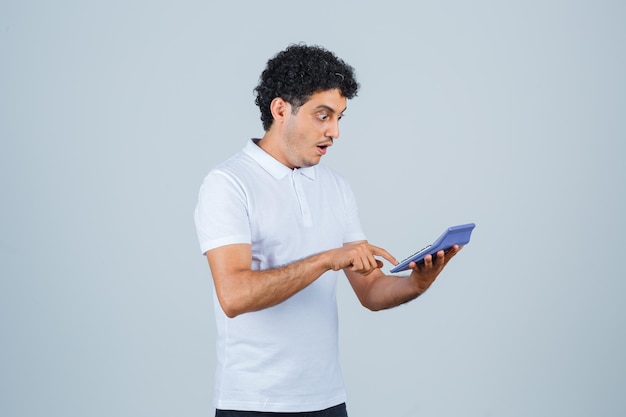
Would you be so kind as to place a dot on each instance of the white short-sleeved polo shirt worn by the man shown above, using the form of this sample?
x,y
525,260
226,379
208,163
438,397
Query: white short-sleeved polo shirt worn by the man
x,y
283,358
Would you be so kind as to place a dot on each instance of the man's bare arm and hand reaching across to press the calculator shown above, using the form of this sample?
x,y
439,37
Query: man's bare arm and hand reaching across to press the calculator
x,y
240,289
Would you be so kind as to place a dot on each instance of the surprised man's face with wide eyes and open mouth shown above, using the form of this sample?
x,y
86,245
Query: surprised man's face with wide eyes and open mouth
x,y
309,132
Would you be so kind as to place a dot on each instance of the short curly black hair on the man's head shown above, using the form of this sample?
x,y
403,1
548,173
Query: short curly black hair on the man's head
x,y
299,71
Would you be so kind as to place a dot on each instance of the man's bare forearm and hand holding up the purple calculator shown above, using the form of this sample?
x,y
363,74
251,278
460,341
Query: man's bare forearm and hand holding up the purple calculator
x,y
377,291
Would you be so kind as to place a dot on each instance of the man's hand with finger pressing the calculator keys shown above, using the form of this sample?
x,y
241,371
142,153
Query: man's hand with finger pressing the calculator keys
x,y
359,257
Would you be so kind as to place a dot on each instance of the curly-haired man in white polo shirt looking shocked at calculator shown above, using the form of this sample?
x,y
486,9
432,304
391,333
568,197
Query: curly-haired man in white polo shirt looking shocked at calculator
x,y
276,227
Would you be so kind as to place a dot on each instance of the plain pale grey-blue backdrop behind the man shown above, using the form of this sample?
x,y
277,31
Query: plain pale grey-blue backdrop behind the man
x,y
507,114
